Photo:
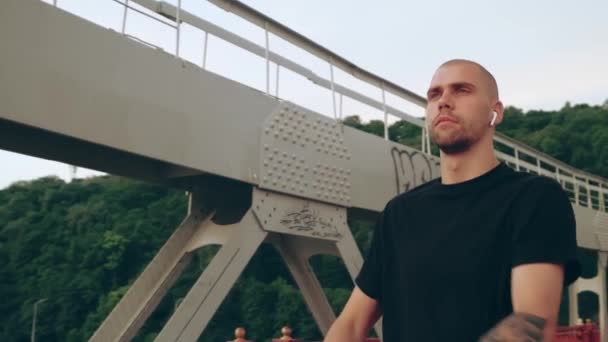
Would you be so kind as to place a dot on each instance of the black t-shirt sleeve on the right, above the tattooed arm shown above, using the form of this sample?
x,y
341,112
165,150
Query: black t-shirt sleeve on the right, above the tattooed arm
x,y
544,228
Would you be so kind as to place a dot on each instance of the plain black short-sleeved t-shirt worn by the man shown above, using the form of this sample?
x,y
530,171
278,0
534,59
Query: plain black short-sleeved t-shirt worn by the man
x,y
441,257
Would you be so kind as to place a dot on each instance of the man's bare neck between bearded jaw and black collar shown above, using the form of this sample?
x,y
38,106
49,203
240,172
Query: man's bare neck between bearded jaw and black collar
x,y
461,167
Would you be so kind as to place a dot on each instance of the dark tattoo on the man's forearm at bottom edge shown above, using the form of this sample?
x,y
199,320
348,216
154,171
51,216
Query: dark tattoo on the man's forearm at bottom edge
x,y
518,327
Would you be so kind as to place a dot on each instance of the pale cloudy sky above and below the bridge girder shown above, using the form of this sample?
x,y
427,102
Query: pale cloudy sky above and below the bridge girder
x,y
543,53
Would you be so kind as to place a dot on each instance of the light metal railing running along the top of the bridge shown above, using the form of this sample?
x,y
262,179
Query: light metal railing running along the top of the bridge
x,y
583,188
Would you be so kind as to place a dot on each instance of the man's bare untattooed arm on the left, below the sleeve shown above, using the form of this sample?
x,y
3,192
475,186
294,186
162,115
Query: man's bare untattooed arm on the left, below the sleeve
x,y
358,316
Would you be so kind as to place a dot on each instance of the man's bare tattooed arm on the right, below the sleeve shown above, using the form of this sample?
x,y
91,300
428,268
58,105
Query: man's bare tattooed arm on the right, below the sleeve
x,y
536,292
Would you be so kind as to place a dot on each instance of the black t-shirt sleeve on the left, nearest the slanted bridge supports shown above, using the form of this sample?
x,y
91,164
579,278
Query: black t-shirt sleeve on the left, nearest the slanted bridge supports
x,y
370,277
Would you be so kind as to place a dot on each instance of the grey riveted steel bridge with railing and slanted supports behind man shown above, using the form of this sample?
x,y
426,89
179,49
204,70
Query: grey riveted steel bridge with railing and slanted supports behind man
x,y
257,167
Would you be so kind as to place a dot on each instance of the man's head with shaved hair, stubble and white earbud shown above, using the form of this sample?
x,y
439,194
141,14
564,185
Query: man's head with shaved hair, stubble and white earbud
x,y
461,100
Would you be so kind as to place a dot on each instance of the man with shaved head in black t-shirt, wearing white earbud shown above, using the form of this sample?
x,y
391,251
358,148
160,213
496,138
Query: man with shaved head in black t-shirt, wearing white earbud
x,y
482,253
